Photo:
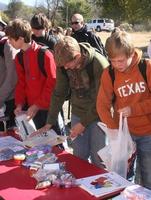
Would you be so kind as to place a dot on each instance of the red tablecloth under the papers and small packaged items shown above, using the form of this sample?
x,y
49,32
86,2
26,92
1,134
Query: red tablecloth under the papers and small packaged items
x,y
16,183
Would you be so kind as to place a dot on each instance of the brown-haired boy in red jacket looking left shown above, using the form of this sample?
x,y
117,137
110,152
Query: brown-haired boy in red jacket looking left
x,y
33,89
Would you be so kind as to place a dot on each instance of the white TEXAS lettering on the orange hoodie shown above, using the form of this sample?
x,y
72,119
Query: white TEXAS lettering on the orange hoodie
x,y
131,88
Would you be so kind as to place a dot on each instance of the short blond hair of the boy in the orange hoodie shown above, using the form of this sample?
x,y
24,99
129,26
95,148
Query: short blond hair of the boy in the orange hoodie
x,y
120,42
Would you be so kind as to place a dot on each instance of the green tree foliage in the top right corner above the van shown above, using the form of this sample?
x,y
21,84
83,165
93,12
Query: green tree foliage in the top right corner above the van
x,y
131,11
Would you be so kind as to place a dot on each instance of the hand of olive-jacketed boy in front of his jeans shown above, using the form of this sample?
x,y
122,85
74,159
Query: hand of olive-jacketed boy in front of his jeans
x,y
76,130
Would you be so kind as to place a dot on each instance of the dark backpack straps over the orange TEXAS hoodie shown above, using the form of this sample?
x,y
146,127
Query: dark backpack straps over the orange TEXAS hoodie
x,y
142,68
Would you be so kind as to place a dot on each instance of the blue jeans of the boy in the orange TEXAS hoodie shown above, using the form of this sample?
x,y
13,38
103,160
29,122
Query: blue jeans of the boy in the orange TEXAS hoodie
x,y
143,163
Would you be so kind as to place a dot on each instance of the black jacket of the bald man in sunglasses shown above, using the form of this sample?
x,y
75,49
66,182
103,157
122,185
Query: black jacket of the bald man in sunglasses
x,y
83,35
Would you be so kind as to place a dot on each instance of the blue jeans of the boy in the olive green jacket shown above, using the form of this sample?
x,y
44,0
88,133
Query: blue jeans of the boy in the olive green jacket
x,y
89,143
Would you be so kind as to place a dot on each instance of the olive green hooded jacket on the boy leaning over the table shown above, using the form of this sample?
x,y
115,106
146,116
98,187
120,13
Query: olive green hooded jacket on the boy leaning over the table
x,y
84,107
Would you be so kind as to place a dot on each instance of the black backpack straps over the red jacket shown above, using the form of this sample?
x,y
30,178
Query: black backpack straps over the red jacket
x,y
40,57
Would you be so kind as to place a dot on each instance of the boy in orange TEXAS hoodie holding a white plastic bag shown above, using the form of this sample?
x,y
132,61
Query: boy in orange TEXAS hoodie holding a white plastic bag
x,y
132,97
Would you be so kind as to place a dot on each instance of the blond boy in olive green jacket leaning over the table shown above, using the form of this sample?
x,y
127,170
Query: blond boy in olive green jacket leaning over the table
x,y
79,67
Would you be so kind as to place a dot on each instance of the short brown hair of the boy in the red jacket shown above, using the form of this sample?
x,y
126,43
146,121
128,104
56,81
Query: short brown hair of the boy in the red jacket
x,y
19,28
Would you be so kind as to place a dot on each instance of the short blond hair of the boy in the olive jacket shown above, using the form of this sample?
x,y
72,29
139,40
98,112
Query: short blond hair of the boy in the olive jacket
x,y
64,50
